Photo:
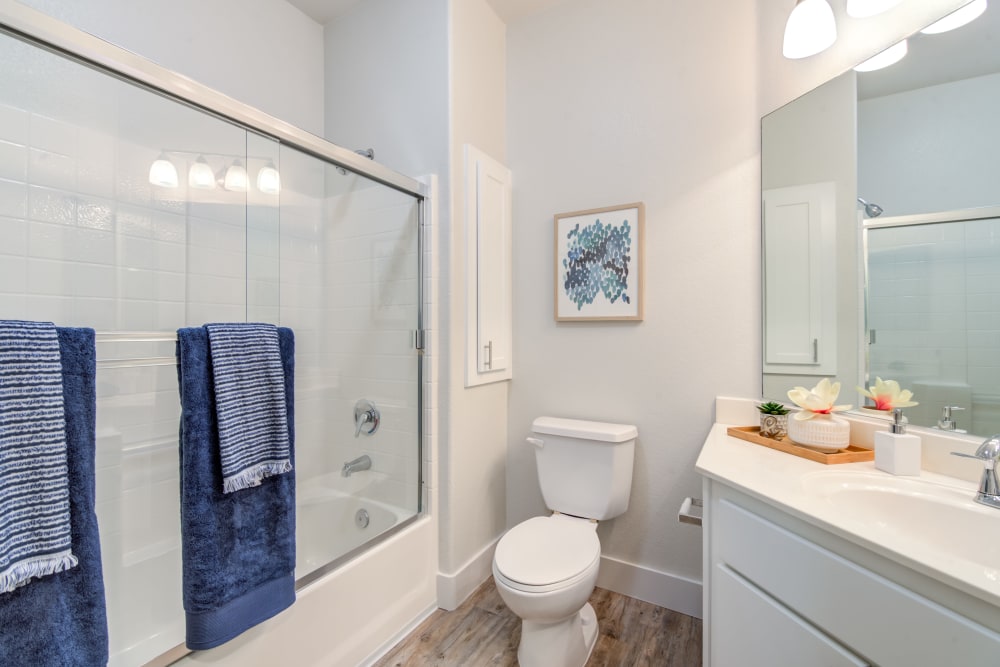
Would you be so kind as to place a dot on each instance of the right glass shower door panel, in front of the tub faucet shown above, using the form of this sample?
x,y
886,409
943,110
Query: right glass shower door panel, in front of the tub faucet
x,y
350,290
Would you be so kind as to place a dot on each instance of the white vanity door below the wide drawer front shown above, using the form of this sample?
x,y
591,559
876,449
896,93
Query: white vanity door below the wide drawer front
x,y
751,629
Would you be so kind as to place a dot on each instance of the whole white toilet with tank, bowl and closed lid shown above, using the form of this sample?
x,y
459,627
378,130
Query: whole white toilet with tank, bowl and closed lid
x,y
545,568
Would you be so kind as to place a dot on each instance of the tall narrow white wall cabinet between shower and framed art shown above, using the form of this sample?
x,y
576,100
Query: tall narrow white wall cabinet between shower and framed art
x,y
489,283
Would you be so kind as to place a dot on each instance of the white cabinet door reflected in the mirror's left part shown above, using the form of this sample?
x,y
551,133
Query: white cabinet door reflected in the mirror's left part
x,y
800,335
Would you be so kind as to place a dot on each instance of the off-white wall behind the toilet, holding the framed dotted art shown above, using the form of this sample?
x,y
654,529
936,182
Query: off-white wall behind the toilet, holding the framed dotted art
x,y
613,102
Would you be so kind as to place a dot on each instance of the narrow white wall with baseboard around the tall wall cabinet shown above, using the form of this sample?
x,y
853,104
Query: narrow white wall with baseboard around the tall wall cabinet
x,y
473,465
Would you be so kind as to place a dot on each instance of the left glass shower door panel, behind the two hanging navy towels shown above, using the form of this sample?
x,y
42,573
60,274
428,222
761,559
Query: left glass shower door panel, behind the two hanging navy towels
x,y
89,241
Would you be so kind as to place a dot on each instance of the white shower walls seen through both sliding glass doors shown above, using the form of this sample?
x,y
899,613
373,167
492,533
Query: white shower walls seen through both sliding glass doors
x,y
87,241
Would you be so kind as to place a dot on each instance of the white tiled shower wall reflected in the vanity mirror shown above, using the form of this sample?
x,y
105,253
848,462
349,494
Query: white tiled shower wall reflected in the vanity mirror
x,y
934,298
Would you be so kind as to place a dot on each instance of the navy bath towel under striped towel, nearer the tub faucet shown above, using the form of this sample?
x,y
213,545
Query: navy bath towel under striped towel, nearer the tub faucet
x,y
238,548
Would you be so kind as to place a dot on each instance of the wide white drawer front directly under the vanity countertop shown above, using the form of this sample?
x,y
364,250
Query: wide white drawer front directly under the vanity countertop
x,y
878,619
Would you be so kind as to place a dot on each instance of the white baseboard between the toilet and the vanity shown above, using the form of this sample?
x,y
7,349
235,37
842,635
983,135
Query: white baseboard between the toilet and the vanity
x,y
660,588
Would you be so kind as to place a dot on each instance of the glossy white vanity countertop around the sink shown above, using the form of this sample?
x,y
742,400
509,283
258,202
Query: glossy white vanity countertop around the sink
x,y
790,483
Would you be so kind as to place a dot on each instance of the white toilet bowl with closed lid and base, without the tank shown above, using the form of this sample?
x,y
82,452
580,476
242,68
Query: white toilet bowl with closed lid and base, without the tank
x,y
545,570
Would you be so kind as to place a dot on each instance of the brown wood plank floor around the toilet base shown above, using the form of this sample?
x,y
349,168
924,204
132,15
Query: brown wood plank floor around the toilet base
x,y
484,632
